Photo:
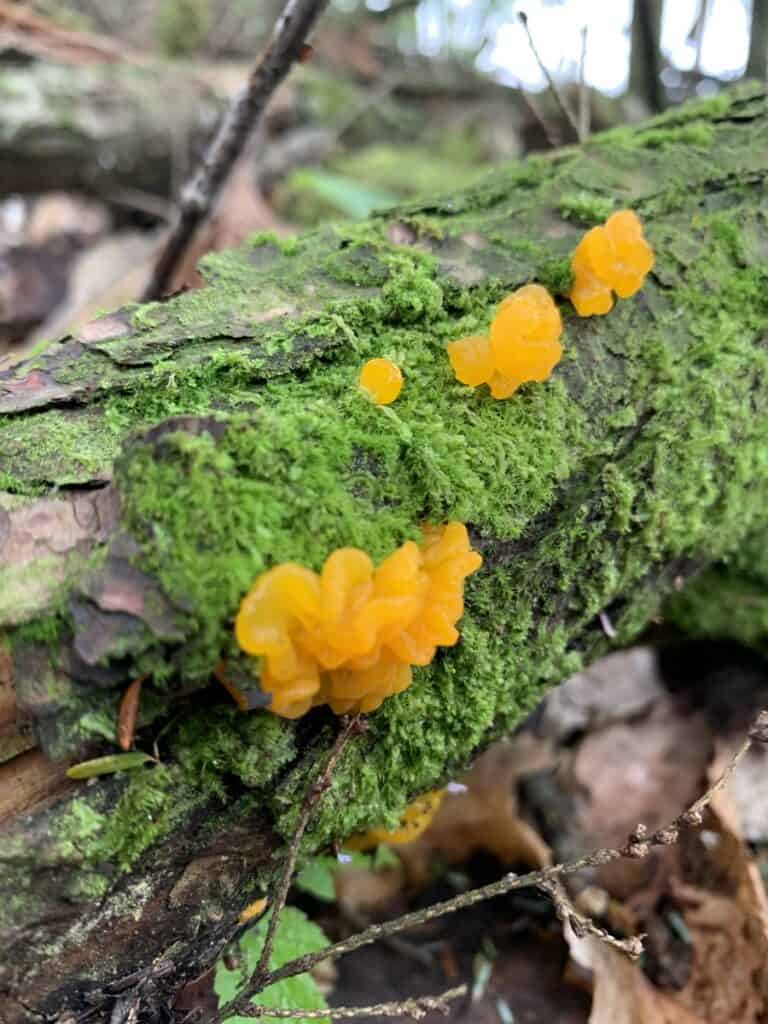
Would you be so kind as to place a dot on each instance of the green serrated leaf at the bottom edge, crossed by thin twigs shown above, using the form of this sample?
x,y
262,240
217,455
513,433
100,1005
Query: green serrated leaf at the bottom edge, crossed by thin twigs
x,y
296,935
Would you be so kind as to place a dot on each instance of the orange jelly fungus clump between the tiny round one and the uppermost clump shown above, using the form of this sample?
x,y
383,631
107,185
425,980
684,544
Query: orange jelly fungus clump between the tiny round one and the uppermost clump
x,y
524,345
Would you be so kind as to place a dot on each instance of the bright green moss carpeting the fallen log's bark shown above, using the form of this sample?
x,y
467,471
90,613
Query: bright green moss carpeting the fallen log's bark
x,y
648,446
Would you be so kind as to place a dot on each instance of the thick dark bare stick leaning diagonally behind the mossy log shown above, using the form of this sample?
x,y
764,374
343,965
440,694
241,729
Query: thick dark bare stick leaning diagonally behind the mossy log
x,y
198,197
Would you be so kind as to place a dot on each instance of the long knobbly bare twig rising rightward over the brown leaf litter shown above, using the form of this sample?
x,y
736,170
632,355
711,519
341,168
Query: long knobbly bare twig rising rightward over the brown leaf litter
x,y
639,845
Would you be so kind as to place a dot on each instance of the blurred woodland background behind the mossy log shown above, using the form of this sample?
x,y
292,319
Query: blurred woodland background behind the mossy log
x,y
400,100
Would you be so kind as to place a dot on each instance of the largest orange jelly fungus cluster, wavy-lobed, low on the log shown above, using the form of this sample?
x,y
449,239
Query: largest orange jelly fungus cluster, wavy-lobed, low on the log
x,y
349,636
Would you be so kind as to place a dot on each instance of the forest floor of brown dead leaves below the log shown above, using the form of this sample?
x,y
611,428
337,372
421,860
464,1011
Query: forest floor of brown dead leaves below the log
x,y
634,740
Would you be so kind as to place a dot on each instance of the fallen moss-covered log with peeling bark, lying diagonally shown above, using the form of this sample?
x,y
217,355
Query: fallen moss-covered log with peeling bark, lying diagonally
x,y
154,464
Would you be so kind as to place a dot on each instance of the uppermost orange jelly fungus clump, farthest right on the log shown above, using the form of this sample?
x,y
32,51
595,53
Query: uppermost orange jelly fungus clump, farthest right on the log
x,y
613,258
